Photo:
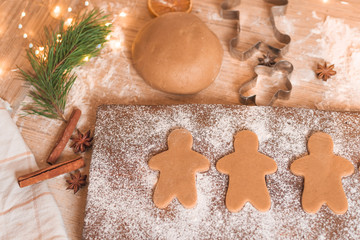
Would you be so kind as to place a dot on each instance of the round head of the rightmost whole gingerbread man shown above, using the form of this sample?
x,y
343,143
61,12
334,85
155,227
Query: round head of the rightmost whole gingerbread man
x,y
320,143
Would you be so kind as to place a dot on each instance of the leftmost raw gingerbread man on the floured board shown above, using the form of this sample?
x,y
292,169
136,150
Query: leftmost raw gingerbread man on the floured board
x,y
178,167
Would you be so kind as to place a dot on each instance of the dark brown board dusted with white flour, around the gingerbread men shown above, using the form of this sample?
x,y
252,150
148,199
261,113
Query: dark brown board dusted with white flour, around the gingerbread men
x,y
121,183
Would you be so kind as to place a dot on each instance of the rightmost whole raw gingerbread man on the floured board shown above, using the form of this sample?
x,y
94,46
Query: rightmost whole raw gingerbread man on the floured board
x,y
322,172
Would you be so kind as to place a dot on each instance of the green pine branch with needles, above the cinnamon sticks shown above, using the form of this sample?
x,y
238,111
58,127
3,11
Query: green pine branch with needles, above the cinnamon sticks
x,y
51,78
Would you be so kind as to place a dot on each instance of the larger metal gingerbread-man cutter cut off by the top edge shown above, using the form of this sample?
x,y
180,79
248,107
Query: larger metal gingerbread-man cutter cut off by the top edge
x,y
278,9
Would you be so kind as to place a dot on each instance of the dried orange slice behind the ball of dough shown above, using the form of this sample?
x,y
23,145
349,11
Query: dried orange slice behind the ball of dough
x,y
160,7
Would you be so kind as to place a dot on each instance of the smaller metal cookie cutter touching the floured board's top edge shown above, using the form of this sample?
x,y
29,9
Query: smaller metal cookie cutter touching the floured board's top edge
x,y
282,69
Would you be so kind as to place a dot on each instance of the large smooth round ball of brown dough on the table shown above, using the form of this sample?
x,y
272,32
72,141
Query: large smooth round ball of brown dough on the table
x,y
177,53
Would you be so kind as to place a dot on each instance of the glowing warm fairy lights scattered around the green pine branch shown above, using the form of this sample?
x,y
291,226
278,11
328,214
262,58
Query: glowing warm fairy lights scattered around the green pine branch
x,y
56,12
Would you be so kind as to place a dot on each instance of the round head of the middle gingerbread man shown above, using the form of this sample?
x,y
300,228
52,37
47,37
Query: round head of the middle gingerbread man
x,y
246,141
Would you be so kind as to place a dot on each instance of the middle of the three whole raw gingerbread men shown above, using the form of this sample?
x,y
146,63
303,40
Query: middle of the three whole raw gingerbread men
x,y
247,168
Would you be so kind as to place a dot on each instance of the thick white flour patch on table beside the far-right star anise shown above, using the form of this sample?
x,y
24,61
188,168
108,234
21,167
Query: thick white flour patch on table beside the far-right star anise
x,y
339,44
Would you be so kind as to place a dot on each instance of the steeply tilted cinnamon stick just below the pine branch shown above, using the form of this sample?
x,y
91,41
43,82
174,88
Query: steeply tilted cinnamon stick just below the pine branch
x,y
64,137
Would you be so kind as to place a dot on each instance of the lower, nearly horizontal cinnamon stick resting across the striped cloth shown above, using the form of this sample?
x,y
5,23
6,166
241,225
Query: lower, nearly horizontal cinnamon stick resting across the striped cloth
x,y
51,172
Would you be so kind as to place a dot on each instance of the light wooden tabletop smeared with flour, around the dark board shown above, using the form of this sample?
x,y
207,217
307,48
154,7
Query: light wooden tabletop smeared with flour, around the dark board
x,y
111,78
